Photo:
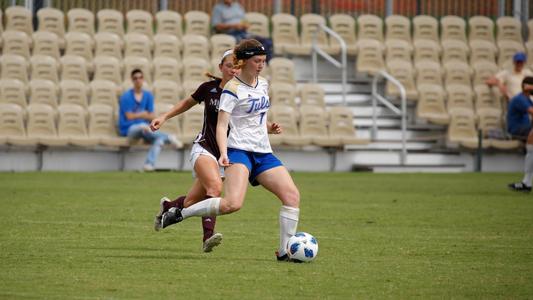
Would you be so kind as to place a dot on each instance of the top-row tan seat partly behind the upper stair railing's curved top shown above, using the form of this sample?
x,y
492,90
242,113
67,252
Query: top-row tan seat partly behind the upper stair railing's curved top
x,y
344,25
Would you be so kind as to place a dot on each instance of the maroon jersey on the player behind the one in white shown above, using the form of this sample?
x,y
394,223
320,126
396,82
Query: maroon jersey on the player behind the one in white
x,y
209,93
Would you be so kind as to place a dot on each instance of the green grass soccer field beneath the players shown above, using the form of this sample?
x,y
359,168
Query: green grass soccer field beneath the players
x,y
90,236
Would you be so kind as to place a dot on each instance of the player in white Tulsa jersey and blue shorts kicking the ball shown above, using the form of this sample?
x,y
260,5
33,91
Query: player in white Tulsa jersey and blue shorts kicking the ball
x,y
246,152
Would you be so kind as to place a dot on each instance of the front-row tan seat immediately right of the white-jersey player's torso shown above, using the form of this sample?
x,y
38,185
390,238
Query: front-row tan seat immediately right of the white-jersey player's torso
x,y
286,116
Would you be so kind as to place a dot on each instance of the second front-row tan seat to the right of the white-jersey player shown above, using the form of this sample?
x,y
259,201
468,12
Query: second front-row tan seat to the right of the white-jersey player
x,y
313,125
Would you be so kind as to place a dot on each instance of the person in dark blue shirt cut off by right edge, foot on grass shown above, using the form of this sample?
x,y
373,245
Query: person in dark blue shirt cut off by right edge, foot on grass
x,y
519,124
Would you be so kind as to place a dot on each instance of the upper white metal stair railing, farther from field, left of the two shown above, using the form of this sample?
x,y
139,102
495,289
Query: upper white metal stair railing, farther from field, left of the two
x,y
341,65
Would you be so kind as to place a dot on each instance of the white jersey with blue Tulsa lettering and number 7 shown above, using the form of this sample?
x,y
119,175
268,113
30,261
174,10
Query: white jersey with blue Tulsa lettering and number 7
x,y
248,106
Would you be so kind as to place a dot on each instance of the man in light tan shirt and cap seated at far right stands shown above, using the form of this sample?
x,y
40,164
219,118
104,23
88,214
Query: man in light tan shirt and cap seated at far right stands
x,y
509,83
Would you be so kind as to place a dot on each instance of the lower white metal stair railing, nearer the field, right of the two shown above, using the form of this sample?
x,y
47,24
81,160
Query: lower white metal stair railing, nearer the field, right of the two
x,y
402,111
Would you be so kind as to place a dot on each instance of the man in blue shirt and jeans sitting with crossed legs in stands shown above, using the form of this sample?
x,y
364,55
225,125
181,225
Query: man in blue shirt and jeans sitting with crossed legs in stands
x,y
136,112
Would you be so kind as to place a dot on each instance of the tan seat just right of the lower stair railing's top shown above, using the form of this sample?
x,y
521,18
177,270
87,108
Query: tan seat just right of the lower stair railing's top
x,y
431,104
